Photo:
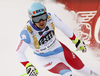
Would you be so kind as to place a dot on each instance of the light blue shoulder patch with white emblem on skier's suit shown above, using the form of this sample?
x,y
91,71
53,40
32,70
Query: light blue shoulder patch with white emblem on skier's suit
x,y
25,36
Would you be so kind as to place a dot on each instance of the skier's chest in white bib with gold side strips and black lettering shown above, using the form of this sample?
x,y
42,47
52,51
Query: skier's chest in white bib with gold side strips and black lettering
x,y
44,37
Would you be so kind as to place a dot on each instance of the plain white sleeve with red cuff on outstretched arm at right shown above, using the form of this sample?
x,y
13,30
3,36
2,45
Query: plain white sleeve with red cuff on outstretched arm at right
x,y
63,27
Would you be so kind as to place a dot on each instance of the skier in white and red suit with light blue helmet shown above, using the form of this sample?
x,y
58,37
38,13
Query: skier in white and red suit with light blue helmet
x,y
39,34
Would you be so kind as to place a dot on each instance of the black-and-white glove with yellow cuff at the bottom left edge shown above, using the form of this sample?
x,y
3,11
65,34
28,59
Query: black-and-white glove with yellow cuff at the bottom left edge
x,y
31,70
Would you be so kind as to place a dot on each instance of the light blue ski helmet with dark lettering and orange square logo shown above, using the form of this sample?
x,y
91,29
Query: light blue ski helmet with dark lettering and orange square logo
x,y
36,9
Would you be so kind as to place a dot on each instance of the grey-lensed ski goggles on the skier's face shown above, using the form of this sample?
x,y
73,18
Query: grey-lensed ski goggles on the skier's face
x,y
37,19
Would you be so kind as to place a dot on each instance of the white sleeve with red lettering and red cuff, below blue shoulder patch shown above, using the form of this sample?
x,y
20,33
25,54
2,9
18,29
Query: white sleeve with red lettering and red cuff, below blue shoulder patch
x,y
20,52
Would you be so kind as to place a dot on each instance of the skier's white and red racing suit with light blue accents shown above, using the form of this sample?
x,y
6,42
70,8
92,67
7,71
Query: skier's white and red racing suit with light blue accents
x,y
49,52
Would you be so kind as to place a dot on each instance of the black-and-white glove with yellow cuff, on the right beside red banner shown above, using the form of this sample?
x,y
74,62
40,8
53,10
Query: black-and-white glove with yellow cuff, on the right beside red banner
x,y
80,45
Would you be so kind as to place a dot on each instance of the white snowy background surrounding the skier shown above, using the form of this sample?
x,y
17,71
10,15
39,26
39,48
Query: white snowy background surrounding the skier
x,y
13,17
